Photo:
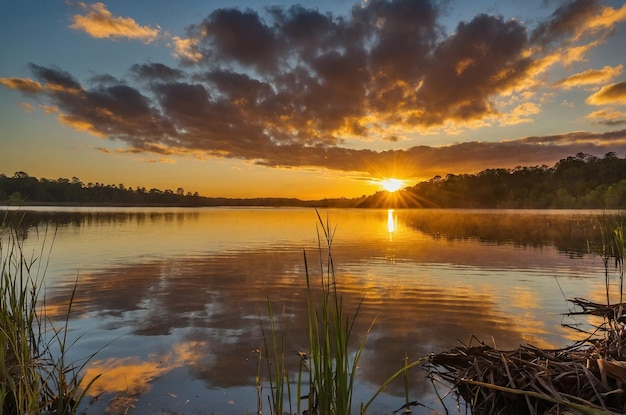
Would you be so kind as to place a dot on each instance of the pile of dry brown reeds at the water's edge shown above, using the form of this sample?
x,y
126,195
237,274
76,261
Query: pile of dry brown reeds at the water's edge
x,y
588,377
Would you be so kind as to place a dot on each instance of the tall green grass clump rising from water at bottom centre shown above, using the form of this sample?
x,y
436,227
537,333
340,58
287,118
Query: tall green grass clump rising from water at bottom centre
x,y
329,368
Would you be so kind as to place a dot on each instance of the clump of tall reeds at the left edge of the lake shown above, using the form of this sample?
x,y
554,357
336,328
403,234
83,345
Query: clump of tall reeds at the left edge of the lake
x,y
33,378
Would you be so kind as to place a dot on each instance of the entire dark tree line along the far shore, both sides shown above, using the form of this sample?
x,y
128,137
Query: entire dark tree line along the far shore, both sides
x,y
582,181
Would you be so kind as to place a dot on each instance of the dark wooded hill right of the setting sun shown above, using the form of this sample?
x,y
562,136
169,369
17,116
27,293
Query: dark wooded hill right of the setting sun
x,y
582,181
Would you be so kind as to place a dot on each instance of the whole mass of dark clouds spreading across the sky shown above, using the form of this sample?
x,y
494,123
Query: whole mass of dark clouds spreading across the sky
x,y
288,88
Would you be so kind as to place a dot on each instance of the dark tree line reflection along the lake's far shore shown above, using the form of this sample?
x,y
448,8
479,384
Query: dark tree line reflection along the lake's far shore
x,y
569,231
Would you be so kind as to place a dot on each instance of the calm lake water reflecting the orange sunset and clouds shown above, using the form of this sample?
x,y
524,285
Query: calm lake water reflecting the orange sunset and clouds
x,y
174,298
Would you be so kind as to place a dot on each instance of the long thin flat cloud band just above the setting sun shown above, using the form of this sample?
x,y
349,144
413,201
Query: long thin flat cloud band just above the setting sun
x,y
469,157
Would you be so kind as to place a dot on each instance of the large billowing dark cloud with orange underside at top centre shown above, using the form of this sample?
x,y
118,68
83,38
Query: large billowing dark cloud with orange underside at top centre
x,y
386,65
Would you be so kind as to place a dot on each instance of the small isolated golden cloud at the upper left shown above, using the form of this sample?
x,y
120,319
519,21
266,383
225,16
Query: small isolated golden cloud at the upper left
x,y
100,23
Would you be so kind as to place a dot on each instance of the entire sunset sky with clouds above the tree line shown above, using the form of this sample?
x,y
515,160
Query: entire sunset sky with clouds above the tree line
x,y
310,100
